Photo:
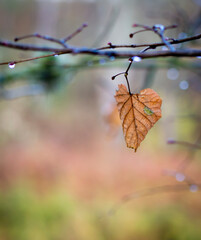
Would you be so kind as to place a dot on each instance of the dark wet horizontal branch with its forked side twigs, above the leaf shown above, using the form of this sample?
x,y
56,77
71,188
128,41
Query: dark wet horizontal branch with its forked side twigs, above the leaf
x,y
106,51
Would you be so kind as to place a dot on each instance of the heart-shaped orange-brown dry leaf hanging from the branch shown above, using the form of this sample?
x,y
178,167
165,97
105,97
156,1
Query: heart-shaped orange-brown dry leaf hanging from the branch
x,y
138,113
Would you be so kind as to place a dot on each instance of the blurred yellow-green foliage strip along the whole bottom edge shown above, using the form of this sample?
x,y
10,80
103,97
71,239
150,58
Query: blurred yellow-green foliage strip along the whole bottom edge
x,y
55,216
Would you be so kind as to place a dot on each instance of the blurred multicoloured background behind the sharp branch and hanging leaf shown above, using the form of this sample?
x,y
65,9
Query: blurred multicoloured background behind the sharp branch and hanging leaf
x,y
65,170
